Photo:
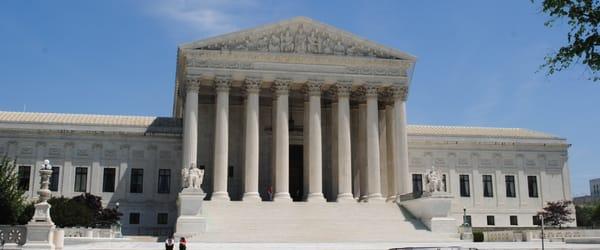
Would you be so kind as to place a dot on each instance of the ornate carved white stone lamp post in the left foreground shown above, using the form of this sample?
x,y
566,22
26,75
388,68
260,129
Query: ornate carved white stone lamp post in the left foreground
x,y
40,230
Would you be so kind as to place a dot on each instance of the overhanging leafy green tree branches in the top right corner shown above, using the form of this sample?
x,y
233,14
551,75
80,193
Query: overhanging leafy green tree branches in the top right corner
x,y
583,39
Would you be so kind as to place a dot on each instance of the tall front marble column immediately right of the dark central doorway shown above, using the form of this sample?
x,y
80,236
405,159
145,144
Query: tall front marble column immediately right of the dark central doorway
x,y
315,155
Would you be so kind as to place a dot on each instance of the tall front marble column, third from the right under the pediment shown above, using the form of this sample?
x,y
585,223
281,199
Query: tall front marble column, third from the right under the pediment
x,y
344,149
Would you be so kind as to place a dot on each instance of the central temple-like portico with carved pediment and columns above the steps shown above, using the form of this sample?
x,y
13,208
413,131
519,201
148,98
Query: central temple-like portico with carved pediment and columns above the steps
x,y
315,88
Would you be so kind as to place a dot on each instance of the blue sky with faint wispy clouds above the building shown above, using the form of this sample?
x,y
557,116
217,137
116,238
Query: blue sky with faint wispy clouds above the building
x,y
477,60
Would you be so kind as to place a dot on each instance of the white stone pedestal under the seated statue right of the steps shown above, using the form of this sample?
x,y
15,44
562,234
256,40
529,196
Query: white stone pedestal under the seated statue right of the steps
x,y
433,209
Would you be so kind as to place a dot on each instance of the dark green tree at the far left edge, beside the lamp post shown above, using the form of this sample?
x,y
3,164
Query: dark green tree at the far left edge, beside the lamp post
x,y
11,197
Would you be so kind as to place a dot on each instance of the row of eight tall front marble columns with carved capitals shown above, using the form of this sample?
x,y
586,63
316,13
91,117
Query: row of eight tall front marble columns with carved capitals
x,y
313,89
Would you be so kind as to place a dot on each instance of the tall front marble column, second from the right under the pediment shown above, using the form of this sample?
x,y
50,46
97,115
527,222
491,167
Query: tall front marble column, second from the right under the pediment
x,y
373,167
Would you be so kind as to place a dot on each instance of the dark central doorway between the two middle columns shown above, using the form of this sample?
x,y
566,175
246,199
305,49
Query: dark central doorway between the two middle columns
x,y
296,172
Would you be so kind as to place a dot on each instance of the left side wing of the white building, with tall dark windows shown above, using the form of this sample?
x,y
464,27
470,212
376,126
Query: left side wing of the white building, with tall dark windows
x,y
134,161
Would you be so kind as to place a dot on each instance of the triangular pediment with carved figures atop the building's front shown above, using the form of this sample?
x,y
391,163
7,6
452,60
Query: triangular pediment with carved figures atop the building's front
x,y
299,35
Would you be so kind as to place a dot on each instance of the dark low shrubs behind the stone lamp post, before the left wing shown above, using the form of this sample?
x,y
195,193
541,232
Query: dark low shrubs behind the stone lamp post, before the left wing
x,y
81,211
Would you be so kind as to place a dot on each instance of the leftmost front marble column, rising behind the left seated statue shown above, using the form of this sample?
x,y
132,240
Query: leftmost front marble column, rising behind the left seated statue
x,y
190,124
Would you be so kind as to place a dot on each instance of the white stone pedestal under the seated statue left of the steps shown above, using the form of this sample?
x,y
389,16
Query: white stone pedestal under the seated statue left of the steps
x,y
190,220
